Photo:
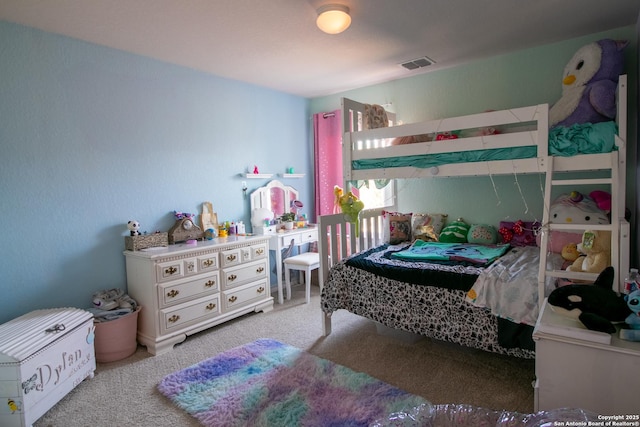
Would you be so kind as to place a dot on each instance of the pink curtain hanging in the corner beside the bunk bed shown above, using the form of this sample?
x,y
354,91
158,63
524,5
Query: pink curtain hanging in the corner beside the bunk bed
x,y
328,159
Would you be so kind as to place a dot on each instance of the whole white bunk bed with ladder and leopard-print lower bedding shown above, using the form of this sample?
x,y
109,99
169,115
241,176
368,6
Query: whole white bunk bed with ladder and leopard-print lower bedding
x,y
435,305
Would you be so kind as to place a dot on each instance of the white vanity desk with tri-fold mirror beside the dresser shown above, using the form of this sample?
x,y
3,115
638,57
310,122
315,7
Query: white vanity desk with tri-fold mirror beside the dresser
x,y
276,198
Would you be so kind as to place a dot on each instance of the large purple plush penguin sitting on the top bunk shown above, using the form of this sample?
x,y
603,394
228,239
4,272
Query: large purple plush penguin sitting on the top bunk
x,y
589,85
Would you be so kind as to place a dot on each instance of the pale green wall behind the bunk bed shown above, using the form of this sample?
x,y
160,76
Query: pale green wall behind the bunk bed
x,y
527,77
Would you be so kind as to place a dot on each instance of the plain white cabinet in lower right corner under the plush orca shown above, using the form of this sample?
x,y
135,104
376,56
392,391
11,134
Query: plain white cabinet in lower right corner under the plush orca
x,y
579,368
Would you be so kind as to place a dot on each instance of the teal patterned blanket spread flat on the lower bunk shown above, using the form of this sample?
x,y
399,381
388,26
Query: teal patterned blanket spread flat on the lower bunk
x,y
465,252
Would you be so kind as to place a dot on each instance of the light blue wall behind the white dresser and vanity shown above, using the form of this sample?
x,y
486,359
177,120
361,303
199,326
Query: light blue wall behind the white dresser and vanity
x,y
91,137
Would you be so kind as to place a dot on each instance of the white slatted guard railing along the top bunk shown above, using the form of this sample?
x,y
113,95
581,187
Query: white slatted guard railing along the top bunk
x,y
518,128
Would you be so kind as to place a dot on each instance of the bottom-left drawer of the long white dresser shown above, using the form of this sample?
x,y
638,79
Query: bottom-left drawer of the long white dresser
x,y
187,314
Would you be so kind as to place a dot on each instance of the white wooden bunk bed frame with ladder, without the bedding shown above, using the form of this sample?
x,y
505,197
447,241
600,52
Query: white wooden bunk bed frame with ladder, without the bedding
x,y
531,130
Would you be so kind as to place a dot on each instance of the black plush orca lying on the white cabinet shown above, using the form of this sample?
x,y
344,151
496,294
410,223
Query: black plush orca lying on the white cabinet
x,y
597,306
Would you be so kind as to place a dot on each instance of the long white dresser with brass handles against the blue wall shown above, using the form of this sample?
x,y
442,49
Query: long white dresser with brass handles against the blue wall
x,y
184,289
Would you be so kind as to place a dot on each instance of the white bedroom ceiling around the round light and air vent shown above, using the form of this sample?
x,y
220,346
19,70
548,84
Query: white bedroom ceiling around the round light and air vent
x,y
276,44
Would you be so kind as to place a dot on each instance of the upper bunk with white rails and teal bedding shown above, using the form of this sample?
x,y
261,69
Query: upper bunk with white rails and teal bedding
x,y
494,142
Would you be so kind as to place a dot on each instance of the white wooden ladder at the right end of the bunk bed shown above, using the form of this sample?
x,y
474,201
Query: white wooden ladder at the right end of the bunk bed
x,y
553,179
